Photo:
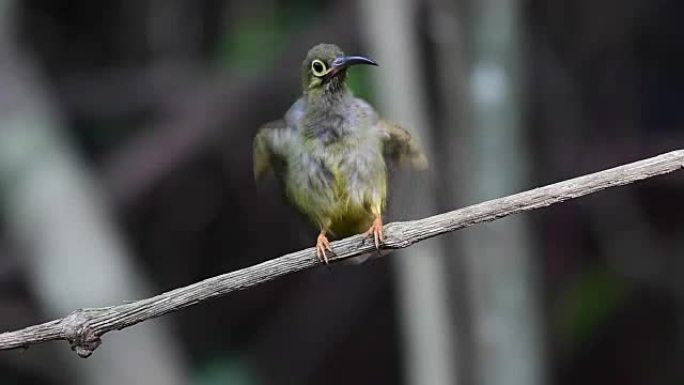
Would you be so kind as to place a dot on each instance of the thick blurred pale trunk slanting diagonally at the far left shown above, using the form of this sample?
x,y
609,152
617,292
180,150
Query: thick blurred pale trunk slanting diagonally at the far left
x,y
55,214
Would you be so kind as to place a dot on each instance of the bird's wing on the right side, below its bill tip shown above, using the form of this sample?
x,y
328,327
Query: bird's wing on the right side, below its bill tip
x,y
400,147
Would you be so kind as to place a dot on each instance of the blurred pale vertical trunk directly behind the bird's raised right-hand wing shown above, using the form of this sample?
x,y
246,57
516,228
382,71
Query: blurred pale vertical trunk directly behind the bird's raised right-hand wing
x,y
424,305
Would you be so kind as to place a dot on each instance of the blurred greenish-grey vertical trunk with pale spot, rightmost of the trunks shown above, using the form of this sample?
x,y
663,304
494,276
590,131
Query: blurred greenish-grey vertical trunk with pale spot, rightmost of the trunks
x,y
507,337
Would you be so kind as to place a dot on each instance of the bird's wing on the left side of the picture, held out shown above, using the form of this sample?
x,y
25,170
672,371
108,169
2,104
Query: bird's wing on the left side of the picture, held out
x,y
270,147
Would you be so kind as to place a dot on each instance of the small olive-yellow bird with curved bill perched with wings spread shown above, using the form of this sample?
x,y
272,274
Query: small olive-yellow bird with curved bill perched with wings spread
x,y
330,151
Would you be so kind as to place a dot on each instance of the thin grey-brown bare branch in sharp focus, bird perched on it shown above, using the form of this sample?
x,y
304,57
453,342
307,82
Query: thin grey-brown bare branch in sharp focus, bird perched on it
x,y
83,328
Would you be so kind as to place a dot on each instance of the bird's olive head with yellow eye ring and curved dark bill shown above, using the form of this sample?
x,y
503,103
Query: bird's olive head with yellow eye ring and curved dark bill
x,y
325,68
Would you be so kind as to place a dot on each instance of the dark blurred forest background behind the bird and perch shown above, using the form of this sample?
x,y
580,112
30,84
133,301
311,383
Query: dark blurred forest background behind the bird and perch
x,y
125,171
